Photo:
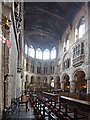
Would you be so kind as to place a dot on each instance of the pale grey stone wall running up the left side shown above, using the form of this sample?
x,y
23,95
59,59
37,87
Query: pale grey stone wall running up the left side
x,y
14,79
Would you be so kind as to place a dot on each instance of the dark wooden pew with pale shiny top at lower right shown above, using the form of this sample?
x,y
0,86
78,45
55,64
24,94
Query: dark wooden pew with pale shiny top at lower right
x,y
79,108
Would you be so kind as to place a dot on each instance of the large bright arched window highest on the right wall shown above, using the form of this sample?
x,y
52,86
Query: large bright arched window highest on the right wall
x,y
81,28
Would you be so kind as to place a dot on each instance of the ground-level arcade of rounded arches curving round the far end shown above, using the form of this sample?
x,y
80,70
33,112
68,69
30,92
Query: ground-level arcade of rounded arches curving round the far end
x,y
78,85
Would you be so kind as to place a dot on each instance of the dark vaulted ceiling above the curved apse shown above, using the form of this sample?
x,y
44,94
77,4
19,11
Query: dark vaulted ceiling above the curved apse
x,y
45,22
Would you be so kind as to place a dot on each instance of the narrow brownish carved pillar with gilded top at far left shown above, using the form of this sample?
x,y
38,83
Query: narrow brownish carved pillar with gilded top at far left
x,y
5,57
